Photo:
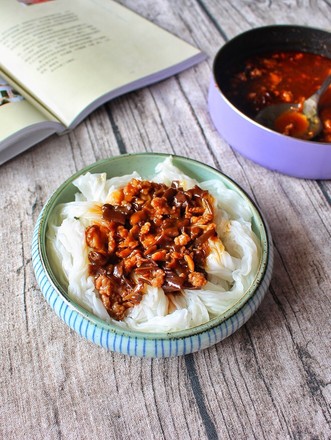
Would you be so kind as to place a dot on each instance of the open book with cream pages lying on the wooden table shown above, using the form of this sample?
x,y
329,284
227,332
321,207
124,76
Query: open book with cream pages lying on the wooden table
x,y
60,59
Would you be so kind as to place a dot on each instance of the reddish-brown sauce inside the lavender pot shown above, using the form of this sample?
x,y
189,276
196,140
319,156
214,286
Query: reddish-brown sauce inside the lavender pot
x,y
281,77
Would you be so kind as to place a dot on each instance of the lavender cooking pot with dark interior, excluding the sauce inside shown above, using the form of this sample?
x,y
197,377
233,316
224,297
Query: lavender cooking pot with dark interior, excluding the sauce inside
x,y
291,156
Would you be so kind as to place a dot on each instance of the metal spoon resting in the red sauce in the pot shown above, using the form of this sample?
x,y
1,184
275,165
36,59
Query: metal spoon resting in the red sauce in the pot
x,y
308,109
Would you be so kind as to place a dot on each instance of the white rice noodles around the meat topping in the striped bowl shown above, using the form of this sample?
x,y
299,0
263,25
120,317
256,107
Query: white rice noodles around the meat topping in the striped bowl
x,y
231,265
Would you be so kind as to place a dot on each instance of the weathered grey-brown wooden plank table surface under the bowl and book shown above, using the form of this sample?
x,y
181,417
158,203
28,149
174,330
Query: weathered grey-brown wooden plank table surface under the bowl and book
x,y
269,380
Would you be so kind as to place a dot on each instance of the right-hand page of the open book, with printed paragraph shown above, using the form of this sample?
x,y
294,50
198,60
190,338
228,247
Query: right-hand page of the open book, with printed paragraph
x,y
67,54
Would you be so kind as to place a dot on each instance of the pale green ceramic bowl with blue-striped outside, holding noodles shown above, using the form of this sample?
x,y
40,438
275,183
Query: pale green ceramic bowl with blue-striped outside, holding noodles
x,y
113,337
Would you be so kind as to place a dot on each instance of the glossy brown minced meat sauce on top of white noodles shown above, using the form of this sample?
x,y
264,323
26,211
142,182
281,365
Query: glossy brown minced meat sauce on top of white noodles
x,y
152,234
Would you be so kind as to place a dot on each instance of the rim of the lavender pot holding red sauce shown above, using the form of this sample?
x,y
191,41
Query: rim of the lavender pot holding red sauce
x,y
242,35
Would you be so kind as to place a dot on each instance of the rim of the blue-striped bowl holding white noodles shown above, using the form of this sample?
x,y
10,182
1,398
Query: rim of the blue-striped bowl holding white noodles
x,y
116,329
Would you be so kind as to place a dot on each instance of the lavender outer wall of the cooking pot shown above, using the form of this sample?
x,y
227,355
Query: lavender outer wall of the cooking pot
x,y
304,159
